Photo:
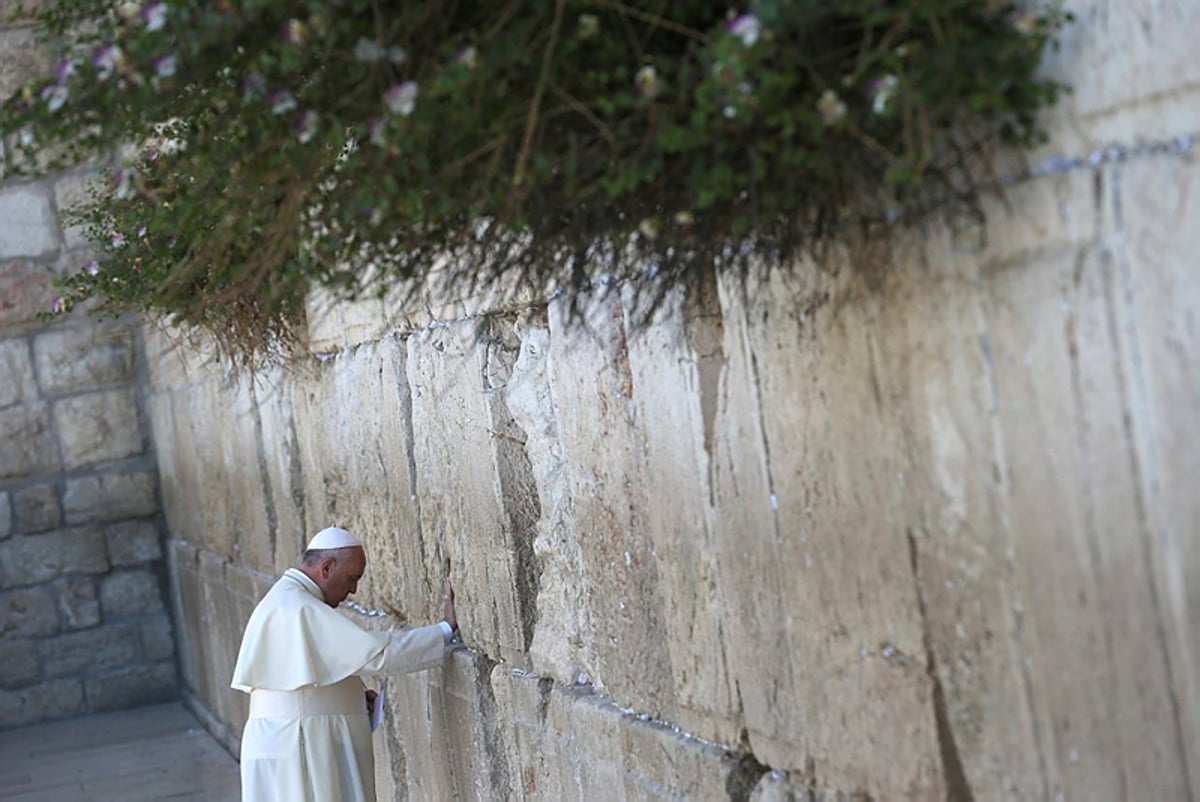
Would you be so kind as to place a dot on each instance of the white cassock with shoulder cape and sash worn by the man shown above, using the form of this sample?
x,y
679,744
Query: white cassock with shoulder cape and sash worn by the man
x,y
309,735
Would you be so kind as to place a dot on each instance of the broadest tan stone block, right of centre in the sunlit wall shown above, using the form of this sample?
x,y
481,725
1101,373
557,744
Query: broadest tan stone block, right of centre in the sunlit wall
x,y
827,651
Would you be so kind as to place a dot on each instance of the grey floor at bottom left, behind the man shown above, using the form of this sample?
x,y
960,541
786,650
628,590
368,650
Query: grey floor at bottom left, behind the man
x,y
149,753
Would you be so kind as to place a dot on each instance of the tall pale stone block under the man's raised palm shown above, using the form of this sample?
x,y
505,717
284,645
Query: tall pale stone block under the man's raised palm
x,y
460,436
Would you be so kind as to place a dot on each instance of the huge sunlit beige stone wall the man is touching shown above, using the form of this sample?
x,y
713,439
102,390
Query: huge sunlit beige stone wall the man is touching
x,y
917,528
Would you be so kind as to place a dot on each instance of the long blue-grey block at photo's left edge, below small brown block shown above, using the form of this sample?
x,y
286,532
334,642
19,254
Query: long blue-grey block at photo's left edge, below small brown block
x,y
41,558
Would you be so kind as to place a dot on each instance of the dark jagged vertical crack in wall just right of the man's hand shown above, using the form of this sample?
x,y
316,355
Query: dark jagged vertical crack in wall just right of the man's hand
x,y
518,486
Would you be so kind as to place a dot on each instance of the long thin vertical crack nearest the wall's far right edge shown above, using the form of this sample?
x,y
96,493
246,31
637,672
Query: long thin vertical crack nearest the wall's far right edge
x,y
1133,390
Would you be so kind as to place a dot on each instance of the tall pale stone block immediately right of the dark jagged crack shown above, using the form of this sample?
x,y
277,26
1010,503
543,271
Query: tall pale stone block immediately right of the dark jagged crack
x,y
604,442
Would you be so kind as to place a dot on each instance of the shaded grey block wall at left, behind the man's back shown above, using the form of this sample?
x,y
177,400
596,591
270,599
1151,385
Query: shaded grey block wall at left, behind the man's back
x,y
83,623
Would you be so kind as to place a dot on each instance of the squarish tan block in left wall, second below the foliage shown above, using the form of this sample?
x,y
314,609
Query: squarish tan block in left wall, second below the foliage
x,y
98,428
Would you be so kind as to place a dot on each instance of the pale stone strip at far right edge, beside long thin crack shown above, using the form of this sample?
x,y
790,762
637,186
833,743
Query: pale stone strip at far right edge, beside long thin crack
x,y
1156,292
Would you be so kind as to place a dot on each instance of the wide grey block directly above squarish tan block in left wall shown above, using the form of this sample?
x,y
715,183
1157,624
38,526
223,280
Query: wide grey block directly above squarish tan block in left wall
x,y
83,358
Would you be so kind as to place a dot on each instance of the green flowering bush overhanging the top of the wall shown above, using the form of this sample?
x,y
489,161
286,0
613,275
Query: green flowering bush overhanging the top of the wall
x,y
279,146
